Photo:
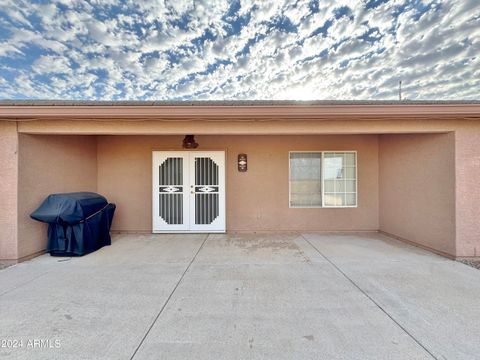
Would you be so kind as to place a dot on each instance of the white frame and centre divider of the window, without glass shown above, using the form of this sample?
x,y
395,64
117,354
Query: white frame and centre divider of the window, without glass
x,y
322,172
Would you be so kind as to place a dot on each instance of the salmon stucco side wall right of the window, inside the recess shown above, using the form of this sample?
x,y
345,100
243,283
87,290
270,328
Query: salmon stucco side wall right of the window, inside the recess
x,y
417,189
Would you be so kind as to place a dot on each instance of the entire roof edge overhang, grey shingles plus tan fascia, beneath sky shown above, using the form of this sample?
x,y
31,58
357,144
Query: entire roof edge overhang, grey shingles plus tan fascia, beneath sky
x,y
238,110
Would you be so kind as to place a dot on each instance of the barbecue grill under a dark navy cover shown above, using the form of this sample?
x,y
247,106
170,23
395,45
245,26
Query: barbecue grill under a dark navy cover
x,y
78,223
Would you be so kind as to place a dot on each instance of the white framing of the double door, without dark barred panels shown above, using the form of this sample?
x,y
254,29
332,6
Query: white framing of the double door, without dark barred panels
x,y
189,192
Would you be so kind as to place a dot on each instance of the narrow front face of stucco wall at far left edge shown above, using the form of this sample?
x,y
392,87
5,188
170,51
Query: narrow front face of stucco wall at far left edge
x,y
8,190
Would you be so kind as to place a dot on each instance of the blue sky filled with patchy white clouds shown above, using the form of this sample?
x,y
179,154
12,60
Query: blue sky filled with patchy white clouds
x,y
248,49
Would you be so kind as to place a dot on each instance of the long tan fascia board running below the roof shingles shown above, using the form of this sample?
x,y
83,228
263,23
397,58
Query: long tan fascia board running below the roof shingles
x,y
12,112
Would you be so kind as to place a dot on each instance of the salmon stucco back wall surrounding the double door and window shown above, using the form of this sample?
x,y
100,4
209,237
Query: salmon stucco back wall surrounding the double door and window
x,y
257,200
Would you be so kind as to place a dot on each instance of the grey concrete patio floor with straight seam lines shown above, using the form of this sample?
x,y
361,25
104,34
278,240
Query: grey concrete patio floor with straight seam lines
x,y
248,296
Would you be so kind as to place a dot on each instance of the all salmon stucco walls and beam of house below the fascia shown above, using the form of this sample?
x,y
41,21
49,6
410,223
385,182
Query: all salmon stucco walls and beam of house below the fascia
x,y
417,180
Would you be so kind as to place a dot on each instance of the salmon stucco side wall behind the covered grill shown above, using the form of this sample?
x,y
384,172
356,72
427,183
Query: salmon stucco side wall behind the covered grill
x,y
50,164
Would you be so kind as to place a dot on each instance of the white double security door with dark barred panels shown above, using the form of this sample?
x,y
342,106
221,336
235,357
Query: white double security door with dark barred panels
x,y
188,191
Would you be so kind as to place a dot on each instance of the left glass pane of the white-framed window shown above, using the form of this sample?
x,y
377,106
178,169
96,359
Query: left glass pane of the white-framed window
x,y
305,179
